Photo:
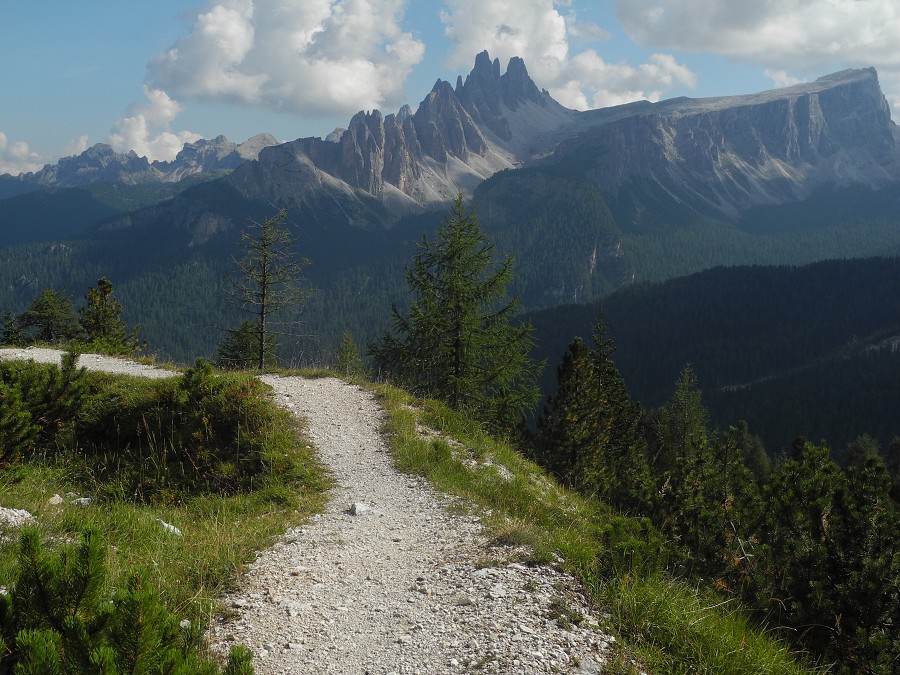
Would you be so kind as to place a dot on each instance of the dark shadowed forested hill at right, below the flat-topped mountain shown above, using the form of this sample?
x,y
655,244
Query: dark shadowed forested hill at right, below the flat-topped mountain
x,y
795,351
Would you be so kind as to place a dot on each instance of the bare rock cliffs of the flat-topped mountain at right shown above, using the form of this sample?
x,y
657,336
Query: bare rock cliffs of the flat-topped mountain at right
x,y
728,154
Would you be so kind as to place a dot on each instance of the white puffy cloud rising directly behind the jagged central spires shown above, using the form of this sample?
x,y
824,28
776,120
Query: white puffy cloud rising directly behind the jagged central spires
x,y
539,32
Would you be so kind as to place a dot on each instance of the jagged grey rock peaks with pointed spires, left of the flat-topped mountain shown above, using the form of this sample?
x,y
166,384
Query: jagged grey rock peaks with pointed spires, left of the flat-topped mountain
x,y
411,161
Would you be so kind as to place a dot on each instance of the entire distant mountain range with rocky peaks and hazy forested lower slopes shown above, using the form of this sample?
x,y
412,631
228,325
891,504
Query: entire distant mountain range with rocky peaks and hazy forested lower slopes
x,y
586,201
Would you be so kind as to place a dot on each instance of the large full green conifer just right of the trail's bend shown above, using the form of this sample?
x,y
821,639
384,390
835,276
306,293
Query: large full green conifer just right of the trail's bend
x,y
458,341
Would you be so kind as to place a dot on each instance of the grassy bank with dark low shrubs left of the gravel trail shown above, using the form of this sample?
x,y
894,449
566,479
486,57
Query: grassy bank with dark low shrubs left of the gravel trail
x,y
220,531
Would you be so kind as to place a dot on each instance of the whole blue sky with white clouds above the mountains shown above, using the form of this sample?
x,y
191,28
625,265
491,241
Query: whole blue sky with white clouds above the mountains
x,y
150,76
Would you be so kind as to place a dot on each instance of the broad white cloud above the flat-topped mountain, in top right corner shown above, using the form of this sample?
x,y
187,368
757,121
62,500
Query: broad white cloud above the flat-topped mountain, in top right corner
x,y
809,37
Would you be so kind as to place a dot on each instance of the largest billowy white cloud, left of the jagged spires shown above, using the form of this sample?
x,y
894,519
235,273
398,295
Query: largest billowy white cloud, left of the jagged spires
x,y
321,57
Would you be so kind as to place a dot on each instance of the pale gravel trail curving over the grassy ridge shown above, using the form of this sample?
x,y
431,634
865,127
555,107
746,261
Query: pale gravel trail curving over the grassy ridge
x,y
395,584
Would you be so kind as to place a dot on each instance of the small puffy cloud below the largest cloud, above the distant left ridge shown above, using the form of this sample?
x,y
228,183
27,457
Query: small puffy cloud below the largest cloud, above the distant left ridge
x,y
146,129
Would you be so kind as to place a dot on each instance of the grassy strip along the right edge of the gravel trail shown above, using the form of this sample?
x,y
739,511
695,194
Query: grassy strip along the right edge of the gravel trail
x,y
665,625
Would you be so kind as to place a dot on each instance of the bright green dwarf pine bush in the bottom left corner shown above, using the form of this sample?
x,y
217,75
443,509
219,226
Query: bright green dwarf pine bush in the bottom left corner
x,y
57,620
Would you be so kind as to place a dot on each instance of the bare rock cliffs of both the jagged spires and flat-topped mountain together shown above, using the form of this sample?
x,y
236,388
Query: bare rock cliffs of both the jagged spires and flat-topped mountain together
x,y
722,155
